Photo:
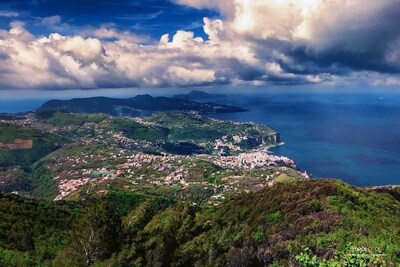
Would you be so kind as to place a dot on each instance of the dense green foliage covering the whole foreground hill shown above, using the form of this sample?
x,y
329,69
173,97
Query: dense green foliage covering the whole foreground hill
x,y
309,223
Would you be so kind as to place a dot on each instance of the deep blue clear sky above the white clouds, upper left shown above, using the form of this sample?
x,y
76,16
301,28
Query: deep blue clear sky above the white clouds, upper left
x,y
150,17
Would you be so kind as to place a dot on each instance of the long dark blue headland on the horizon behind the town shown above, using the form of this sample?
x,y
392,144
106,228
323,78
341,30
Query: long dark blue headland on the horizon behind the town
x,y
136,106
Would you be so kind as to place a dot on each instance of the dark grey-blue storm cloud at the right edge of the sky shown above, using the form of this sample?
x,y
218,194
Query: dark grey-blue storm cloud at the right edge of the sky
x,y
372,46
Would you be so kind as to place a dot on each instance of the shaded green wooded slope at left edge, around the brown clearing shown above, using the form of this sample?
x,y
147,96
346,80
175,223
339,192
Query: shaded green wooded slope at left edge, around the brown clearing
x,y
19,170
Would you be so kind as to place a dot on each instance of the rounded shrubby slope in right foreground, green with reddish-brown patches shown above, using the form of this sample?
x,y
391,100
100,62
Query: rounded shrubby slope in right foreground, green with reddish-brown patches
x,y
323,215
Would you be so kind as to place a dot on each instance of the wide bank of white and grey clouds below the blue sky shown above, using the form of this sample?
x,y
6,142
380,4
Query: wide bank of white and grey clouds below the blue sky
x,y
257,42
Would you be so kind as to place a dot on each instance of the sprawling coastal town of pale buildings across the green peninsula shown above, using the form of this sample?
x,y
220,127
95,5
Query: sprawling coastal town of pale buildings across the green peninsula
x,y
173,153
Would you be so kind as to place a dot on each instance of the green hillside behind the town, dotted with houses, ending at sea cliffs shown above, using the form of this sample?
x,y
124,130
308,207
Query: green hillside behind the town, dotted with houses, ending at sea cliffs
x,y
171,132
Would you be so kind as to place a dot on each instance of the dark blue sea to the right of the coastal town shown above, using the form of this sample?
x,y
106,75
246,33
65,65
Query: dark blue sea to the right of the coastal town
x,y
352,137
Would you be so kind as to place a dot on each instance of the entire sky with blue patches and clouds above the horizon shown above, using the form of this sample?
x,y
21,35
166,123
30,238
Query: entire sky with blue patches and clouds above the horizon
x,y
59,45
